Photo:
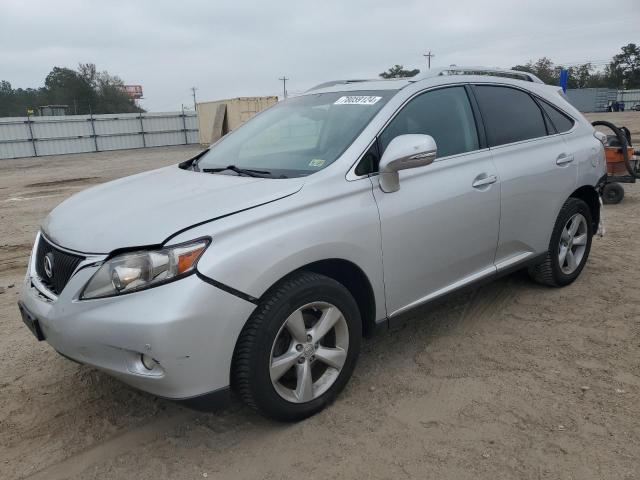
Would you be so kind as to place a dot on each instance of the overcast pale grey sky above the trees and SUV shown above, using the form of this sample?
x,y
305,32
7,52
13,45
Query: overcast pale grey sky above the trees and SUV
x,y
241,48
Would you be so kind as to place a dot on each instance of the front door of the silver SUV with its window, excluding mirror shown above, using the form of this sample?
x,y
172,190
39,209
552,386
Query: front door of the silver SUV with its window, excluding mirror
x,y
440,230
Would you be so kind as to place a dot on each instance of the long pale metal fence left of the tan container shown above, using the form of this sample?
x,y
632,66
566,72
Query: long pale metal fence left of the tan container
x,y
38,136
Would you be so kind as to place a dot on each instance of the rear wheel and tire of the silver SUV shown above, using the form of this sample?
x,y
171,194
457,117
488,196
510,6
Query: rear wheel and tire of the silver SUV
x,y
557,270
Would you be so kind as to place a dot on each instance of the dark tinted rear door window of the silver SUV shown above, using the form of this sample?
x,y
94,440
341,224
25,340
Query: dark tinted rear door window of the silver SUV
x,y
509,115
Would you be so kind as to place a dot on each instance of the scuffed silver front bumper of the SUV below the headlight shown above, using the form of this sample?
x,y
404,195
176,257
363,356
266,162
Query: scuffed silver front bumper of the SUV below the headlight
x,y
188,326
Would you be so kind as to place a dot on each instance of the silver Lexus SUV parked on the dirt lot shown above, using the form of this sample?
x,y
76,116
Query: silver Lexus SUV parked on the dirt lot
x,y
258,265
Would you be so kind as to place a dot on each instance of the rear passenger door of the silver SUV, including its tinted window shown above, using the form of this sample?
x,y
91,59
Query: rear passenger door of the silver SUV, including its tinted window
x,y
536,169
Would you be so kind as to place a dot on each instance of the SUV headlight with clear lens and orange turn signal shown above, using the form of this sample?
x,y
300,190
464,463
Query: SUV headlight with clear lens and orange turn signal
x,y
134,271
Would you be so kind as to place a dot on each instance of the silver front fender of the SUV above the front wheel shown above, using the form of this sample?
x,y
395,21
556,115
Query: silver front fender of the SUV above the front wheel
x,y
253,250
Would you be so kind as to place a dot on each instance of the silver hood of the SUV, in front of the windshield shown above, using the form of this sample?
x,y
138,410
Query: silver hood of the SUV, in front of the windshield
x,y
147,208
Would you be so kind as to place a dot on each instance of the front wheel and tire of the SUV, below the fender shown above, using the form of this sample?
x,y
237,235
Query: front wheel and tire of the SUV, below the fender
x,y
272,338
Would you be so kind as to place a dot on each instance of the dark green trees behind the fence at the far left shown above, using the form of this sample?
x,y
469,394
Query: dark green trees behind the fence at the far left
x,y
84,91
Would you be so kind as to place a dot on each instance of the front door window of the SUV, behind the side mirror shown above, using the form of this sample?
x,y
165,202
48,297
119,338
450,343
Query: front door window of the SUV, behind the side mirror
x,y
445,114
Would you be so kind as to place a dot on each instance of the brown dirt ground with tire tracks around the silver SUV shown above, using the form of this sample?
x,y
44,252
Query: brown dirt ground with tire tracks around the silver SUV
x,y
513,380
